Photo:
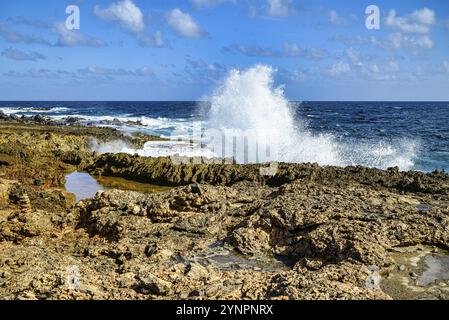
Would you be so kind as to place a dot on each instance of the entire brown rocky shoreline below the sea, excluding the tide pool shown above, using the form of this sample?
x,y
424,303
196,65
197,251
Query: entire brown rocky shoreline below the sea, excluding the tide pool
x,y
224,231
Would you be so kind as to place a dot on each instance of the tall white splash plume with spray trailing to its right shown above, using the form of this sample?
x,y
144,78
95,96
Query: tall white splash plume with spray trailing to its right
x,y
247,105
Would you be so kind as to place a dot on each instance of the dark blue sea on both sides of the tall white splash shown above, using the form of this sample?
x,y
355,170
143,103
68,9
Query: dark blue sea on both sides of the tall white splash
x,y
412,135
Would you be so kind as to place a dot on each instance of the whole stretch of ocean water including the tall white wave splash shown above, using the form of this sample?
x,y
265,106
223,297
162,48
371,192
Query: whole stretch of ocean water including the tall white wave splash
x,y
251,120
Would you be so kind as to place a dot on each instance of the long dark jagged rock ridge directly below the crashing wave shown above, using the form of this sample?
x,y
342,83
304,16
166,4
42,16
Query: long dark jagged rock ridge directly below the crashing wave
x,y
164,171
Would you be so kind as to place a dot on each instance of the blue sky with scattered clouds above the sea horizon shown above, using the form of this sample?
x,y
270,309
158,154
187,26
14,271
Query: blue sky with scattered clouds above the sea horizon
x,y
181,50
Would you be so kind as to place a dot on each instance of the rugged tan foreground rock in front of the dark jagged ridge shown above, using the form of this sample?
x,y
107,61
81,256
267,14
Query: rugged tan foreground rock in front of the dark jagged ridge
x,y
248,240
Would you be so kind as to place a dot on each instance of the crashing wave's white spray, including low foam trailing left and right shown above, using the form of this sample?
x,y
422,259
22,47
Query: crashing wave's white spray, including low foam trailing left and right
x,y
250,120
